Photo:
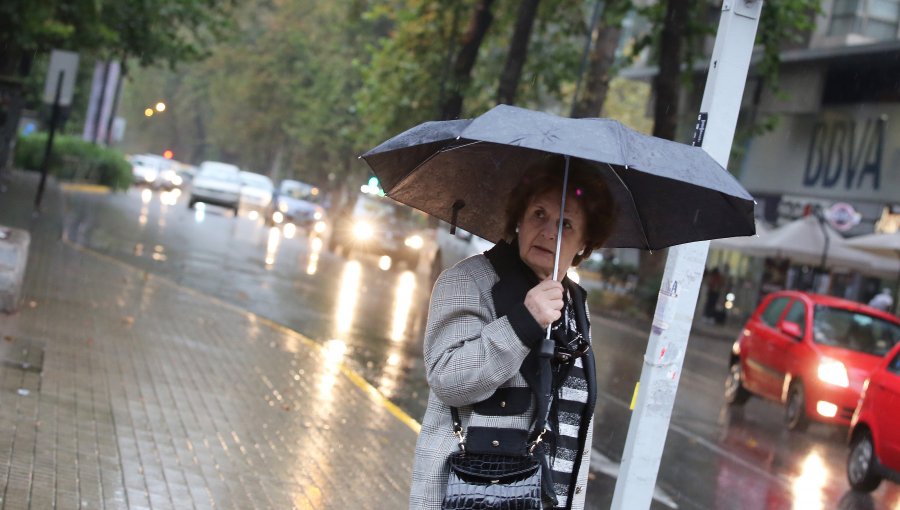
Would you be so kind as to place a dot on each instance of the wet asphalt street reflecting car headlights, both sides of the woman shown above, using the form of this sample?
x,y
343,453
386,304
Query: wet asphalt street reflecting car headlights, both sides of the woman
x,y
714,458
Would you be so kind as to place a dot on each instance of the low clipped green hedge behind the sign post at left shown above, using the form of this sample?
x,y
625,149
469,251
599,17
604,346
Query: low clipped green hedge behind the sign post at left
x,y
75,159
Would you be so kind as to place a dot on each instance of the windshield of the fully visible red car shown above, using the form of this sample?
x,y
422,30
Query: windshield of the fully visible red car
x,y
854,330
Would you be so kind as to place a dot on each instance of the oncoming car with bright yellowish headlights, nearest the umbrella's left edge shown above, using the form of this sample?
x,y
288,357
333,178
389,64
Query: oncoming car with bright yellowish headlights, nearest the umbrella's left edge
x,y
380,226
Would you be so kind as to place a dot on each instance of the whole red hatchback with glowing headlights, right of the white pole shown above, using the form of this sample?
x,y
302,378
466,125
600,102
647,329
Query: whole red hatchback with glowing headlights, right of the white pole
x,y
811,352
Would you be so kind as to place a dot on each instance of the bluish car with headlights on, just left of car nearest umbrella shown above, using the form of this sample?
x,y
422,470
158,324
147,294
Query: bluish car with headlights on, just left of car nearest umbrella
x,y
299,203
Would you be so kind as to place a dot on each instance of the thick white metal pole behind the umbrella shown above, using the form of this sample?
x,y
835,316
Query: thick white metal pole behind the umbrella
x,y
684,267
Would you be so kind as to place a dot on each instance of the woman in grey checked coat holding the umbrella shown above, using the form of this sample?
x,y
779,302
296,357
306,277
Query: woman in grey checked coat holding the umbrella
x,y
487,319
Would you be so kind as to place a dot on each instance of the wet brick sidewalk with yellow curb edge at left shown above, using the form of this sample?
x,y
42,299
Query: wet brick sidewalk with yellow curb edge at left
x,y
119,389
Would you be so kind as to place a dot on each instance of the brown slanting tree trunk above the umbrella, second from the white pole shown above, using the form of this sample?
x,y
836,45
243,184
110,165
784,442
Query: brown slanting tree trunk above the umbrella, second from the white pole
x,y
603,54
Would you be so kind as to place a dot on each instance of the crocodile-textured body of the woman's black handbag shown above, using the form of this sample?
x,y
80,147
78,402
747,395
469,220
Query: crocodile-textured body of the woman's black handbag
x,y
493,481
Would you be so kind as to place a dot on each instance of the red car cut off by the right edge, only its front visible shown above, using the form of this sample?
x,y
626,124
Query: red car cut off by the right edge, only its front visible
x,y
875,430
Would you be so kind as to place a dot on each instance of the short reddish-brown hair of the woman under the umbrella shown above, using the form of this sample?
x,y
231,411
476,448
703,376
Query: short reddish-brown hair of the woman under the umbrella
x,y
586,187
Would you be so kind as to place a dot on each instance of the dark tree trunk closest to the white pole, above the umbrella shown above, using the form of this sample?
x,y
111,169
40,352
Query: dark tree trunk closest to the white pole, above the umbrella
x,y
667,83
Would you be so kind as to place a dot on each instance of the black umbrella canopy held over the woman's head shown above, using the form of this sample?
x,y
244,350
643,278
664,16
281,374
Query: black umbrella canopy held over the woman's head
x,y
666,193
